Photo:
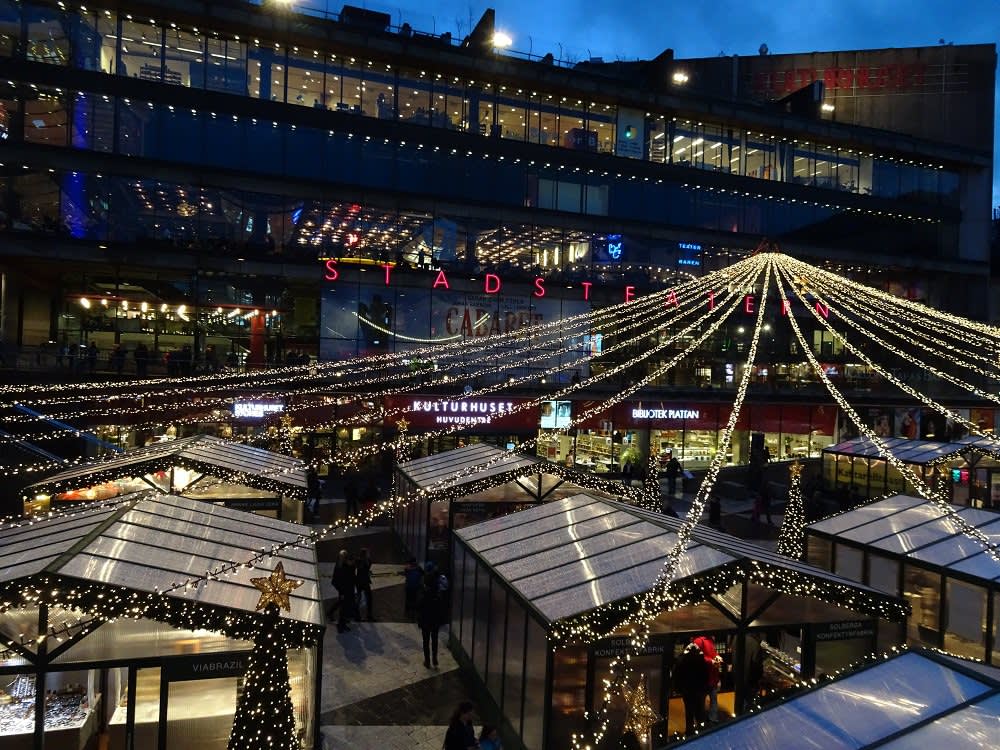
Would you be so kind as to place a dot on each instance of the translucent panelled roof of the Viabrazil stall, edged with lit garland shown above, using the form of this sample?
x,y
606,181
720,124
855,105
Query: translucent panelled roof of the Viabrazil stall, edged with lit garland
x,y
144,547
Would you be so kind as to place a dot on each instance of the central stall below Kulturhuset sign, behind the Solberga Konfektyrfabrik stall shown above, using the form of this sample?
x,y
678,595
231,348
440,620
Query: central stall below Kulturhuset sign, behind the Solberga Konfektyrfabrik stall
x,y
457,488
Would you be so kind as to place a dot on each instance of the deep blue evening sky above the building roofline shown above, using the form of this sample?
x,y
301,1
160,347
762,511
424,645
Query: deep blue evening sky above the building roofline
x,y
641,30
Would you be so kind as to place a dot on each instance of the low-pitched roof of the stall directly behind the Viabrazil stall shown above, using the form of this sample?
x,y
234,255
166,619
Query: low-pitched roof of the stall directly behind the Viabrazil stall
x,y
255,467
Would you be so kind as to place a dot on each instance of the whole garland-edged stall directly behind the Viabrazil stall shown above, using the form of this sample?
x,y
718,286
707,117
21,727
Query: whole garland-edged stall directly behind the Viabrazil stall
x,y
201,467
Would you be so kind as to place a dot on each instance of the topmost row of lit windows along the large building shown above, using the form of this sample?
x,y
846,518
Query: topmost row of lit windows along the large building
x,y
121,45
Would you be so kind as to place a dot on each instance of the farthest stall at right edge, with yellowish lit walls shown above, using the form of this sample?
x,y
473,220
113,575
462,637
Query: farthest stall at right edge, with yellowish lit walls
x,y
968,466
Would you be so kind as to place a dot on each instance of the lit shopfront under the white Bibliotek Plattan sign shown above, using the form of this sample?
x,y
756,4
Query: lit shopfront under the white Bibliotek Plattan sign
x,y
689,430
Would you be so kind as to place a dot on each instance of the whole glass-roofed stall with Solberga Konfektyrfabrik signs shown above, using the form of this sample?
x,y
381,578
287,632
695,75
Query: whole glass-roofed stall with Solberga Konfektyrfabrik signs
x,y
541,601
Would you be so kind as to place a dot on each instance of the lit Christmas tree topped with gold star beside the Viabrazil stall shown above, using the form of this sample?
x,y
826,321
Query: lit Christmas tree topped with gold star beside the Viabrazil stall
x,y
264,718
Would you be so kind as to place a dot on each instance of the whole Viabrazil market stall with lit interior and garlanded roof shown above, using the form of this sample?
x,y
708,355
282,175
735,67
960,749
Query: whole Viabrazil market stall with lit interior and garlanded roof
x,y
98,619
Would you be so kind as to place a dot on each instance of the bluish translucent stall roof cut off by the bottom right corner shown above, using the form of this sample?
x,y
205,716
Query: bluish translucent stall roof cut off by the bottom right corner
x,y
915,699
